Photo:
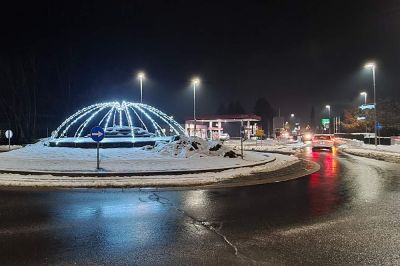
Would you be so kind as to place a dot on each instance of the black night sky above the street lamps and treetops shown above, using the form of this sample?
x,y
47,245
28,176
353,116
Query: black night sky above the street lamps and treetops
x,y
296,53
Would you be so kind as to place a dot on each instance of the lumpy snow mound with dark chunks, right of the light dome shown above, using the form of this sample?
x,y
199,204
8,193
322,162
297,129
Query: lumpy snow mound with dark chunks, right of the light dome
x,y
187,147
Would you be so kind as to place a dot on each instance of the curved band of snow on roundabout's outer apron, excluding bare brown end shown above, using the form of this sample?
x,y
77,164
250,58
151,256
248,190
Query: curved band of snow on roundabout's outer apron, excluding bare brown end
x,y
282,161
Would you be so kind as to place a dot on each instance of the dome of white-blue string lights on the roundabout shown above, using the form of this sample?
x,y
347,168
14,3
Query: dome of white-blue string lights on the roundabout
x,y
126,124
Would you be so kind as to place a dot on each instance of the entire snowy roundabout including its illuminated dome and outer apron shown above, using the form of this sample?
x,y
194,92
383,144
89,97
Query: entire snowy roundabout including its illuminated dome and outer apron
x,y
140,146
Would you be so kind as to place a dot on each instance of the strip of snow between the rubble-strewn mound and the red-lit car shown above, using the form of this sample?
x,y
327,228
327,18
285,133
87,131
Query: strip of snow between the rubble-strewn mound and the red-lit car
x,y
269,145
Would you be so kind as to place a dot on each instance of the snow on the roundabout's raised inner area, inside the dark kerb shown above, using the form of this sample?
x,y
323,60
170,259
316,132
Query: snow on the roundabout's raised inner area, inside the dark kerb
x,y
177,156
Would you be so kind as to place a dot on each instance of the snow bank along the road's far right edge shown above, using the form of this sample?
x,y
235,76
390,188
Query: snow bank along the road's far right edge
x,y
381,152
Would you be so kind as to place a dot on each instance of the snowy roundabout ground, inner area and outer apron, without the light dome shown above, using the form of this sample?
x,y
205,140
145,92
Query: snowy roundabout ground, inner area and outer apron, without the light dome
x,y
169,165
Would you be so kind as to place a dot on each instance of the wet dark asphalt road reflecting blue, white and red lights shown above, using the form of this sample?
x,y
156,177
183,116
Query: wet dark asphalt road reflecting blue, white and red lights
x,y
347,213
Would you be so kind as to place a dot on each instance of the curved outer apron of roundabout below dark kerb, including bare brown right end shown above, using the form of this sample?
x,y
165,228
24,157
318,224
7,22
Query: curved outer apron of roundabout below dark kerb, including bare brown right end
x,y
277,168
